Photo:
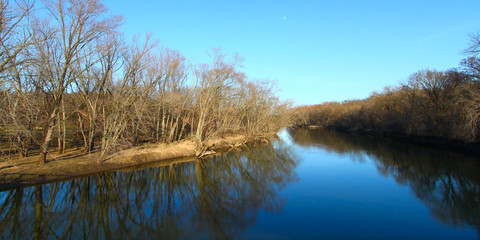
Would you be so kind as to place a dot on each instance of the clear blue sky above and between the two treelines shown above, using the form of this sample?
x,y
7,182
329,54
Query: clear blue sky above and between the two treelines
x,y
316,50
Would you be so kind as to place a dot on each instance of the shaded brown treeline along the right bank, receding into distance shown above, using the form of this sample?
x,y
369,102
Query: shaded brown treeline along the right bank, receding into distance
x,y
440,104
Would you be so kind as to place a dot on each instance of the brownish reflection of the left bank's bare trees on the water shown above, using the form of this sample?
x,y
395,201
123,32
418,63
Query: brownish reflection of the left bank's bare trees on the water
x,y
211,198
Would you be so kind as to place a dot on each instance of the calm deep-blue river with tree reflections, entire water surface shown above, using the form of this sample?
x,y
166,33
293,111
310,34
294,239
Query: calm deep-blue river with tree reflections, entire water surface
x,y
310,184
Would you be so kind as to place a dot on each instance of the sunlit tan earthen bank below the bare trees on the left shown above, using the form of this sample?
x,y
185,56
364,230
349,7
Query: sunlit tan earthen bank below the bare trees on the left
x,y
76,163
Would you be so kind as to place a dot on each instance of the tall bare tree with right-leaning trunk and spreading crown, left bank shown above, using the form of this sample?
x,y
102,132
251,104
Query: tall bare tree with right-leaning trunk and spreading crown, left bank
x,y
76,25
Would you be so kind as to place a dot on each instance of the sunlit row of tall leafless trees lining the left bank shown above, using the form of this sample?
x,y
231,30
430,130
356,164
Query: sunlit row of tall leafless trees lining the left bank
x,y
69,78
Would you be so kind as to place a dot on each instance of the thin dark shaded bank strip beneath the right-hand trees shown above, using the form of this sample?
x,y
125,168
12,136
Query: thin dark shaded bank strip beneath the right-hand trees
x,y
433,142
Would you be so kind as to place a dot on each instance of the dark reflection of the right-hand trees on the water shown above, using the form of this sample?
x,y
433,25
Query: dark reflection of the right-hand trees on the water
x,y
446,182
